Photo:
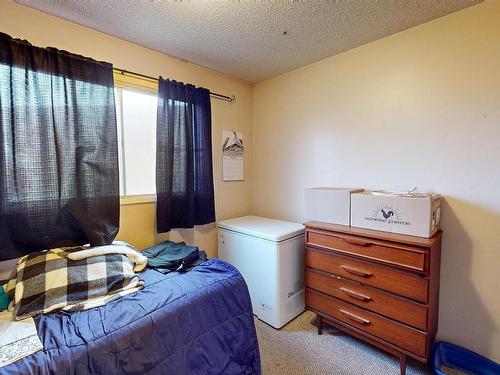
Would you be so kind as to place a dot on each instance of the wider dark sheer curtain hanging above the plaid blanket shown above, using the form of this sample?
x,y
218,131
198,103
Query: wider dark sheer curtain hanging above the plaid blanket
x,y
58,150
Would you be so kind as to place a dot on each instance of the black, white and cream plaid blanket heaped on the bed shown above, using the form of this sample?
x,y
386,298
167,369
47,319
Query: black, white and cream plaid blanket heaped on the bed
x,y
47,281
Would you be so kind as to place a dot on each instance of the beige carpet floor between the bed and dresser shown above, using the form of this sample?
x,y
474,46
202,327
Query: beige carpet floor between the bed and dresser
x,y
297,349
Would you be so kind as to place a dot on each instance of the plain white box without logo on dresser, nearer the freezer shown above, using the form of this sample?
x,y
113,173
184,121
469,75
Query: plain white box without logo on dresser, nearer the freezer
x,y
329,204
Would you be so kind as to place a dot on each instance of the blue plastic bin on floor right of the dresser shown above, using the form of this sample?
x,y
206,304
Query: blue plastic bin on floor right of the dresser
x,y
455,357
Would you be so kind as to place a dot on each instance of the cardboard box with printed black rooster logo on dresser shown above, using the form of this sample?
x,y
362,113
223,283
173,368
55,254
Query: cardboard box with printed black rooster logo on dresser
x,y
414,214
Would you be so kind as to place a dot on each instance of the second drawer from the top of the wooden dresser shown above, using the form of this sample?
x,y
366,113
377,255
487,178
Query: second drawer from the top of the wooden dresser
x,y
385,278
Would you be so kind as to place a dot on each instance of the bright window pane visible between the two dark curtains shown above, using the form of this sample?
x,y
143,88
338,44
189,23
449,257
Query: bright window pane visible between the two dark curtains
x,y
136,121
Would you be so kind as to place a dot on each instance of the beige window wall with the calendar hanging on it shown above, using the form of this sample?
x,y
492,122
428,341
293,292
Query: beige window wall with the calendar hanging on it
x,y
137,221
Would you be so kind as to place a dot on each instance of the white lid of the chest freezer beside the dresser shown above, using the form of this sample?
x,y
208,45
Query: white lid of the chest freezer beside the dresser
x,y
262,227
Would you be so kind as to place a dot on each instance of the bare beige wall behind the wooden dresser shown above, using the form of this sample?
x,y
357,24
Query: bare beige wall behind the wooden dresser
x,y
419,108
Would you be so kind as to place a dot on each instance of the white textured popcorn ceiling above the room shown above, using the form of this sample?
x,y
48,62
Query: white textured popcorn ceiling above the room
x,y
246,38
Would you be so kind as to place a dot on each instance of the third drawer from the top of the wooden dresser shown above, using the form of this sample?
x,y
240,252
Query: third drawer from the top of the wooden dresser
x,y
394,307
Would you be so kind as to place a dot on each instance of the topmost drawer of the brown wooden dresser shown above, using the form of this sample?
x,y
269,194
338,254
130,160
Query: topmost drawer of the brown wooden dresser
x,y
399,255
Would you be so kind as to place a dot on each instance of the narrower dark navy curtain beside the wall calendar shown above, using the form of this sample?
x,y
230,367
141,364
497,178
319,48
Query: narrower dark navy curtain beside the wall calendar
x,y
184,180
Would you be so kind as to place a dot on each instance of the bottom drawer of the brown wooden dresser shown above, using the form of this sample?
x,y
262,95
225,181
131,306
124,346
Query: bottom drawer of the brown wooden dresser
x,y
396,333
